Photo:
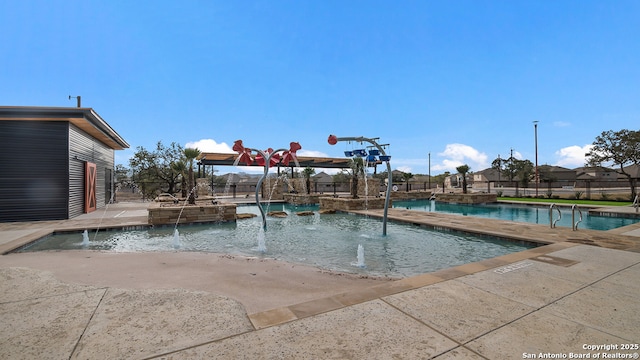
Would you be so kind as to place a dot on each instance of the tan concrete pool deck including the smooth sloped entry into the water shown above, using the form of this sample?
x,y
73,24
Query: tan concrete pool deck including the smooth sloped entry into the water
x,y
564,297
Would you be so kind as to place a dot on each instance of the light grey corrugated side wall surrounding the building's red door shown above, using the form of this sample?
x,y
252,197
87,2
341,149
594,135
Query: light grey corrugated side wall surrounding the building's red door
x,y
83,147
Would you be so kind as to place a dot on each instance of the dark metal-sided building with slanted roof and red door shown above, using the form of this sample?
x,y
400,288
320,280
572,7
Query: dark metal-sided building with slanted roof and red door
x,y
57,162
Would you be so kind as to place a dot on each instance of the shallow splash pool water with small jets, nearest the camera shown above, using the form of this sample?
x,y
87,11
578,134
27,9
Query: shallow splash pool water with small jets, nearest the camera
x,y
328,241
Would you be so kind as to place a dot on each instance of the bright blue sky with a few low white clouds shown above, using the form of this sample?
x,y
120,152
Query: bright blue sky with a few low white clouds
x,y
460,80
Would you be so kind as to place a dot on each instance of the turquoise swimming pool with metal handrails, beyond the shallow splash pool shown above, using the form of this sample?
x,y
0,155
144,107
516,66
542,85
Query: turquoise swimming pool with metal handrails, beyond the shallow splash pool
x,y
515,212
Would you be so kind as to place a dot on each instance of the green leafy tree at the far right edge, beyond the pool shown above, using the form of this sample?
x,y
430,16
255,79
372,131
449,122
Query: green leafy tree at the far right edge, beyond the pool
x,y
618,148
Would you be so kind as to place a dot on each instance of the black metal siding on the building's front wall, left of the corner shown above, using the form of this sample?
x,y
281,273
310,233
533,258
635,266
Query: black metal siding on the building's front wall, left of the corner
x,y
34,167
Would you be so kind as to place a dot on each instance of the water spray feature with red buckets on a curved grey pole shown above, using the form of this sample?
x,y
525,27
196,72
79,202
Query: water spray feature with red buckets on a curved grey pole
x,y
267,158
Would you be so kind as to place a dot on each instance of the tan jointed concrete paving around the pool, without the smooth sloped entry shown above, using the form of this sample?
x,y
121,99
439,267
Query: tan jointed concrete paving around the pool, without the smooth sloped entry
x,y
553,300
